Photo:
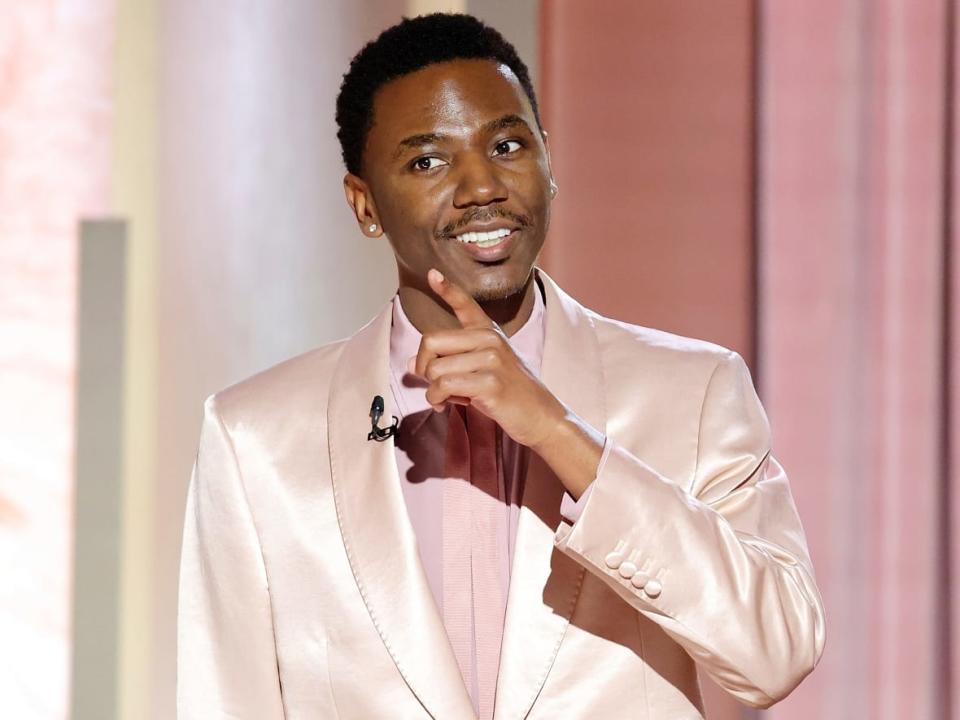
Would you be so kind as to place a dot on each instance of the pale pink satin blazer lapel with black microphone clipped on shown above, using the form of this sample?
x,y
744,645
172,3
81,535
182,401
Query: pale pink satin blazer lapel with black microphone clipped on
x,y
376,529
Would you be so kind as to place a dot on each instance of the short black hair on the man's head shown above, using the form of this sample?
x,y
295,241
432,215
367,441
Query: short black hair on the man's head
x,y
408,46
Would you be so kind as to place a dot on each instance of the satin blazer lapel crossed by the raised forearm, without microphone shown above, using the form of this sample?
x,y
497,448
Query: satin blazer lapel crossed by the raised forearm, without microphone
x,y
545,583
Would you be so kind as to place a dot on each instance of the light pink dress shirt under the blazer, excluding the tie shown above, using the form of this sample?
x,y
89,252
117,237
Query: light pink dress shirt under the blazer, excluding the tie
x,y
420,457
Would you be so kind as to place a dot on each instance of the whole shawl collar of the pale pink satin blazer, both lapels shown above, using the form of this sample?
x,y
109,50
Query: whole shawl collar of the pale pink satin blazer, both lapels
x,y
381,546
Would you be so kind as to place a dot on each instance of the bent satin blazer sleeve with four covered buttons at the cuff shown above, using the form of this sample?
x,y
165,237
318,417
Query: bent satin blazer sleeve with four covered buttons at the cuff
x,y
721,564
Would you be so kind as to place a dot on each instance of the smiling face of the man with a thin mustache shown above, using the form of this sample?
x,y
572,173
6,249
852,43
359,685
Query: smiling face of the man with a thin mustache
x,y
455,150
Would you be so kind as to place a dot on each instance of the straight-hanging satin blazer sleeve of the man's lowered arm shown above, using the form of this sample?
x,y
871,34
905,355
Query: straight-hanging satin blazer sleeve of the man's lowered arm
x,y
226,654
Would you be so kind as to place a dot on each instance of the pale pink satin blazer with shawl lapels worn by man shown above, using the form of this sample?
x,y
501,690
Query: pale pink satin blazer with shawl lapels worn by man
x,y
302,595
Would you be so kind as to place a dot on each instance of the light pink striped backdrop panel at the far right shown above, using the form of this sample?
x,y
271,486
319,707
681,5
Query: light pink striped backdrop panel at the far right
x,y
855,148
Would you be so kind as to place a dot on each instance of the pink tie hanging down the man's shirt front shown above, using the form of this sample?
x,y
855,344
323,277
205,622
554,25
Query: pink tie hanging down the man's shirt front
x,y
474,602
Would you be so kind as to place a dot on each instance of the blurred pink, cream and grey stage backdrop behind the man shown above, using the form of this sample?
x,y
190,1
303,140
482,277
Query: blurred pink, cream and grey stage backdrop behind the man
x,y
775,176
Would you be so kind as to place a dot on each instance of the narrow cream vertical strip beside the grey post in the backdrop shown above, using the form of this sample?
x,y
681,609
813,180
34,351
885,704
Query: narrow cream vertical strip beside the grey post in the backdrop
x,y
134,197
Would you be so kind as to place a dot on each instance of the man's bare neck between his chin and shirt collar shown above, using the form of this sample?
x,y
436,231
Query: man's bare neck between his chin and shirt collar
x,y
428,313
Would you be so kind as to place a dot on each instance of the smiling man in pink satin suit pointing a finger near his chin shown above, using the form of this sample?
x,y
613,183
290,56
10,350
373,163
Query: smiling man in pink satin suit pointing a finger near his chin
x,y
573,513
